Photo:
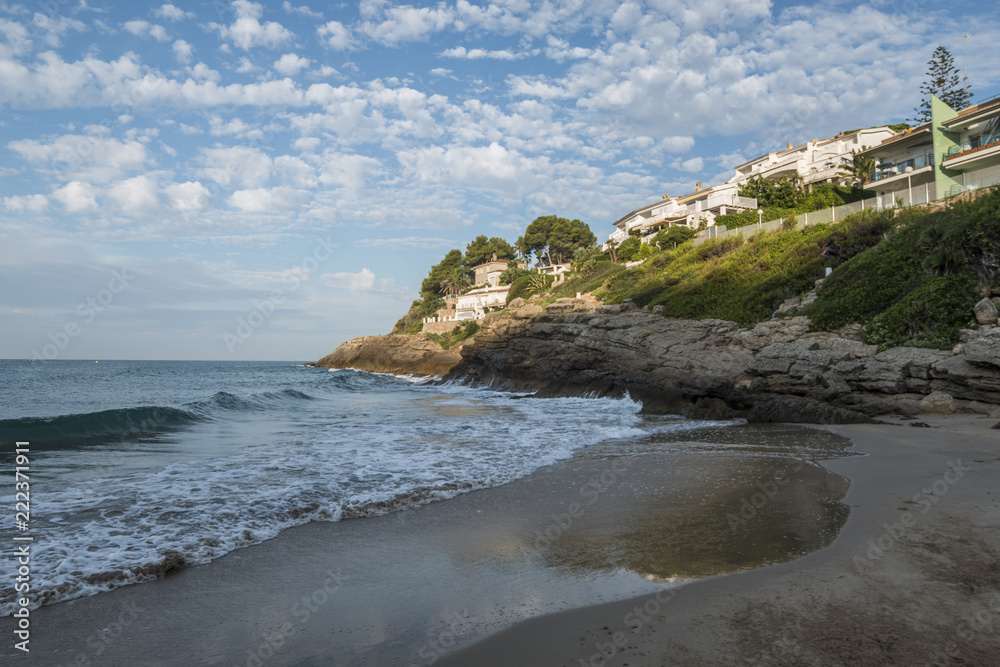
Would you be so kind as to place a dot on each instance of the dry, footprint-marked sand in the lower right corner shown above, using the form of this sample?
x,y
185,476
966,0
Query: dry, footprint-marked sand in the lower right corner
x,y
912,578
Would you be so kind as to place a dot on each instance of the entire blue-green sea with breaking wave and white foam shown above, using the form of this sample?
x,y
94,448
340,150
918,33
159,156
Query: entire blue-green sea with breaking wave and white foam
x,y
138,468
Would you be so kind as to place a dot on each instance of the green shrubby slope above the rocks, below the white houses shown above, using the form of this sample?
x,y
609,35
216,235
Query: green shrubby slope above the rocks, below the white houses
x,y
910,277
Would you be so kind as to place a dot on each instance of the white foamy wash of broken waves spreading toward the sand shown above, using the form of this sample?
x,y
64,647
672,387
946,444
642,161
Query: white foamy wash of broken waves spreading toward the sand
x,y
106,533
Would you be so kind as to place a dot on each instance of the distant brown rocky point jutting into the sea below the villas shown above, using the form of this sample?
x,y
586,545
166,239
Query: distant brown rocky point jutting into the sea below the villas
x,y
397,353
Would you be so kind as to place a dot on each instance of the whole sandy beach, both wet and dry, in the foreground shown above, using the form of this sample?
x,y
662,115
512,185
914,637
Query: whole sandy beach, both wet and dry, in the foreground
x,y
474,580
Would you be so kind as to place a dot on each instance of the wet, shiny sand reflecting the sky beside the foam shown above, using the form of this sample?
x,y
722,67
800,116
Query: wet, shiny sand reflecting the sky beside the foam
x,y
616,521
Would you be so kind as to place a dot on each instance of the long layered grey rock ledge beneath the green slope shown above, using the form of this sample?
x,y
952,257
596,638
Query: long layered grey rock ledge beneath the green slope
x,y
777,371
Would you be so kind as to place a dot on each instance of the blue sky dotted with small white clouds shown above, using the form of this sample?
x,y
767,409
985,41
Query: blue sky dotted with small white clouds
x,y
262,181
